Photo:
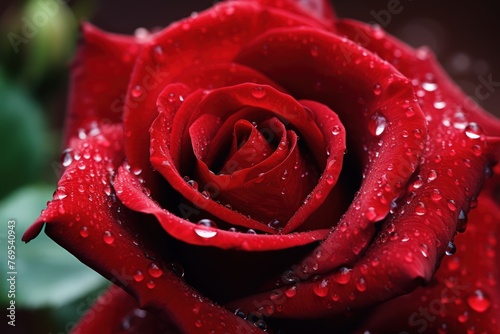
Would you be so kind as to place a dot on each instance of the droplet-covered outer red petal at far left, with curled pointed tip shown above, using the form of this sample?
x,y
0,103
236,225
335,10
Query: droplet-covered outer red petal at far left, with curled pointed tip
x,y
86,219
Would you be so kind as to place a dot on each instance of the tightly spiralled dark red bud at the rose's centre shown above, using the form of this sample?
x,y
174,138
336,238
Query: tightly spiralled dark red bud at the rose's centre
x,y
258,168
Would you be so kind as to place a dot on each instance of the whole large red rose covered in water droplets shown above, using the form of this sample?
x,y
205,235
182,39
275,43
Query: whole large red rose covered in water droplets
x,y
207,176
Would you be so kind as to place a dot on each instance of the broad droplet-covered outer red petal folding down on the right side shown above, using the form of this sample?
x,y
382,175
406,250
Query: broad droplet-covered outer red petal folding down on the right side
x,y
412,242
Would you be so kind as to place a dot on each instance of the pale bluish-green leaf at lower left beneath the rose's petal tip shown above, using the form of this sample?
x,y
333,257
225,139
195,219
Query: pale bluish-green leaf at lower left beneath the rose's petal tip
x,y
47,275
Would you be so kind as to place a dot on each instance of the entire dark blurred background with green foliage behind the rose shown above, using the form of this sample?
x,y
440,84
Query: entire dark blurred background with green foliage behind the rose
x,y
54,289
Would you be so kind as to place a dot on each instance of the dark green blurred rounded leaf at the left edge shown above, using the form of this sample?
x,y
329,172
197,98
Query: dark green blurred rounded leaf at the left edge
x,y
24,140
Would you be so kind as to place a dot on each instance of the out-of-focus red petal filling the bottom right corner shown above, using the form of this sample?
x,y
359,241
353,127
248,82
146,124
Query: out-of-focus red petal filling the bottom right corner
x,y
464,292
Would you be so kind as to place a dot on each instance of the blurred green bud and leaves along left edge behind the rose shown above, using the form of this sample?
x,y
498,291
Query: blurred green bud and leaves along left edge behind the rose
x,y
37,44
